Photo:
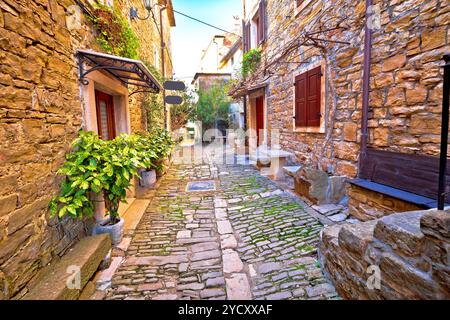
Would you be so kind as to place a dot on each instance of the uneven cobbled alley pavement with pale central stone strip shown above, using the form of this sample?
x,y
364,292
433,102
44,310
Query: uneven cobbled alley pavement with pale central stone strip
x,y
245,240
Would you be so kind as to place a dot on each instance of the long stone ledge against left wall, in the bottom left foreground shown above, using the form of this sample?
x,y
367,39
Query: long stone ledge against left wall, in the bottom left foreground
x,y
82,260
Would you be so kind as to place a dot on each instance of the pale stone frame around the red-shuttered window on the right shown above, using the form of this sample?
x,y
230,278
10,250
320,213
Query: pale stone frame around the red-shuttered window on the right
x,y
323,100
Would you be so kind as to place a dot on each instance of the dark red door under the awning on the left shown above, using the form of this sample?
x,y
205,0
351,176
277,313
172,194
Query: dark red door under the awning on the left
x,y
105,115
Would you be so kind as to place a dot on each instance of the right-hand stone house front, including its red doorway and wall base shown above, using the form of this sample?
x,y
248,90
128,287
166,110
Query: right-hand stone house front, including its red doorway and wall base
x,y
409,39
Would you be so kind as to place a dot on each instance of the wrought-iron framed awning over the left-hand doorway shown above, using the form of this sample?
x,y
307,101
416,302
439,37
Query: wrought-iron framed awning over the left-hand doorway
x,y
116,67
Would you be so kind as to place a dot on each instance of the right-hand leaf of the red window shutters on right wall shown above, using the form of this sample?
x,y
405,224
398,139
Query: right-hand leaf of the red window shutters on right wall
x,y
313,97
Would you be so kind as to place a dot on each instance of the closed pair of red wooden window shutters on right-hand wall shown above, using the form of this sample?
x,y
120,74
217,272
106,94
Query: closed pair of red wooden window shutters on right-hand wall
x,y
308,98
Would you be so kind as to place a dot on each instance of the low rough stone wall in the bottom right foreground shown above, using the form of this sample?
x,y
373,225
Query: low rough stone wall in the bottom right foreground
x,y
408,253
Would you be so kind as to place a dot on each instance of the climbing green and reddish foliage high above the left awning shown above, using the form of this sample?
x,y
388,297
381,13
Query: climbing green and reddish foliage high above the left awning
x,y
115,33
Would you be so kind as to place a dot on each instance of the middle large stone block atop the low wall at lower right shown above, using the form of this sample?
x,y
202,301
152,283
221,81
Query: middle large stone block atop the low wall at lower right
x,y
402,232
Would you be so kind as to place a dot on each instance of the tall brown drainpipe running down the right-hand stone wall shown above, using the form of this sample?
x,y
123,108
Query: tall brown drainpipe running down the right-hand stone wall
x,y
366,85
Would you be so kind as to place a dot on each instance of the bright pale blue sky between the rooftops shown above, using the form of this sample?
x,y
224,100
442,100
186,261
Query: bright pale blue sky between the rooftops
x,y
189,37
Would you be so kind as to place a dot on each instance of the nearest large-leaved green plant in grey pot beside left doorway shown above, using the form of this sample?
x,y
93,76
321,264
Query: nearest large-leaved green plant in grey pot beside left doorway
x,y
102,168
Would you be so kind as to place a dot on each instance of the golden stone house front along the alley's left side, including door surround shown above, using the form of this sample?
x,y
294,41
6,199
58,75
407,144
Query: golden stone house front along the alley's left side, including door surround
x,y
42,107
